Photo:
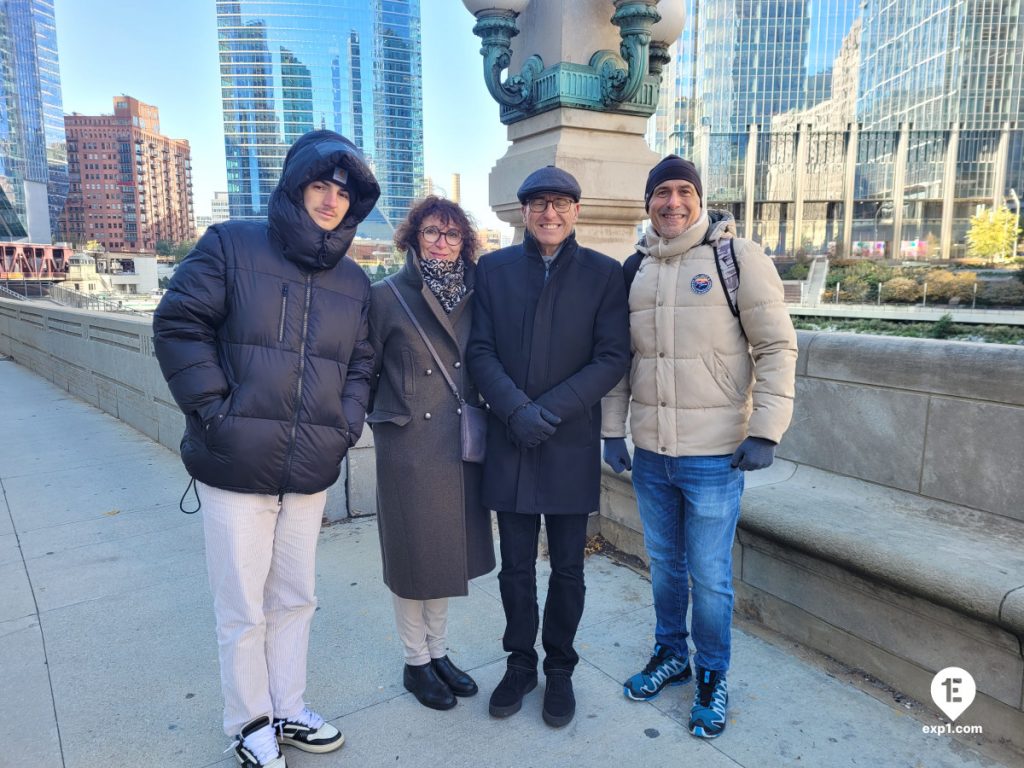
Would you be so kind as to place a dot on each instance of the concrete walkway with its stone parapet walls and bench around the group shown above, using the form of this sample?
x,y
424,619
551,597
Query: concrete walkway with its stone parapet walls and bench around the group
x,y
886,538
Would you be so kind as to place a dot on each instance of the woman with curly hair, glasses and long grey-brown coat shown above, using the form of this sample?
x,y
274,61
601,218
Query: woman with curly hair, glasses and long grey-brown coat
x,y
436,535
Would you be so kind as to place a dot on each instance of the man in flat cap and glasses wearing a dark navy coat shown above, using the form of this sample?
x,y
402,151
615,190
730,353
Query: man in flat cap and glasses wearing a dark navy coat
x,y
550,338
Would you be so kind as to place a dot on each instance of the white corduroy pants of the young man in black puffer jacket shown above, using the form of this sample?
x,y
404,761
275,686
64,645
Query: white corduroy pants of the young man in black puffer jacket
x,y
262,557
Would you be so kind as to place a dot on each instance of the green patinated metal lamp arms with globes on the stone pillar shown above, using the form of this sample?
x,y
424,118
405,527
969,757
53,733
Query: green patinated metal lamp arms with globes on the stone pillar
x,y
626,81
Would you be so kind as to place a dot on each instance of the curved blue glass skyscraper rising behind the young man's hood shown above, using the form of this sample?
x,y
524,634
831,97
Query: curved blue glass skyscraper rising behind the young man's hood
x,y
350,66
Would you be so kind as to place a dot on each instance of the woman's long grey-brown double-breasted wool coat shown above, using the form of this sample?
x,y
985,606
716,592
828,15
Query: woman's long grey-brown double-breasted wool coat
x,y
436,535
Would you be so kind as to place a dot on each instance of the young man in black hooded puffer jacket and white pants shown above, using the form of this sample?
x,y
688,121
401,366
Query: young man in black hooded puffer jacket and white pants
x,y
263,338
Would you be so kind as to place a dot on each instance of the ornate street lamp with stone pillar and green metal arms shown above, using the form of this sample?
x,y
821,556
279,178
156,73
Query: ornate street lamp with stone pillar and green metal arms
x,y
584,79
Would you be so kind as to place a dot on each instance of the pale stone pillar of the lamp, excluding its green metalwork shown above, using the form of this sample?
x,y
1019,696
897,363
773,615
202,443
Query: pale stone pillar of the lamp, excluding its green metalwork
x,y
607,152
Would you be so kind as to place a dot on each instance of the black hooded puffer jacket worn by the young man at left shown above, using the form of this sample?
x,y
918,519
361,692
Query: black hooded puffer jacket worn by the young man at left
x,y
263,337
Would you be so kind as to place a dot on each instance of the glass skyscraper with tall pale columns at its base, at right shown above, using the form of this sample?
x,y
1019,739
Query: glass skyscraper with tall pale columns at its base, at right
x,y
860,129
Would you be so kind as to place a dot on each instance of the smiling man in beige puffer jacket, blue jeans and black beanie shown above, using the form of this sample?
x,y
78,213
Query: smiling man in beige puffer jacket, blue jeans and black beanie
x,y
710,396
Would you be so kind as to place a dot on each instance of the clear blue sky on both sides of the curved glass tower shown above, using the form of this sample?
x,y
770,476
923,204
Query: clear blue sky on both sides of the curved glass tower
x,y
165,54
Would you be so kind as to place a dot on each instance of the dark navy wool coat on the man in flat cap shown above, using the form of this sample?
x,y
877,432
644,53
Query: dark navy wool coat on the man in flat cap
x,y
564,344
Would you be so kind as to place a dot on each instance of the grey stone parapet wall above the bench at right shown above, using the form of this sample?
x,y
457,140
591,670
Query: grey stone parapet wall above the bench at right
x,y
942,419
